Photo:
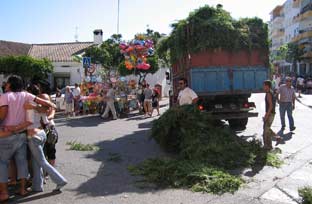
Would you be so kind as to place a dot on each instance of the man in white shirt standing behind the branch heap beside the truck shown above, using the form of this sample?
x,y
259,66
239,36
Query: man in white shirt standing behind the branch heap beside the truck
x,y
186,95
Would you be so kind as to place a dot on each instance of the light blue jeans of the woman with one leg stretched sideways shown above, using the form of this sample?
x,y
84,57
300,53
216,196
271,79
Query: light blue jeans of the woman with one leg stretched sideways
x,y
39,162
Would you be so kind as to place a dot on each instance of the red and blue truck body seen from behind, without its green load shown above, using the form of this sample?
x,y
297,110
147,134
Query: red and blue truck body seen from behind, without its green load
x,y
224,81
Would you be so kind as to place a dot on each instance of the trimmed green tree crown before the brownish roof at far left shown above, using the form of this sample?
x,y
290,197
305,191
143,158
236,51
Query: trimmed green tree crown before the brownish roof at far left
x,y
26,67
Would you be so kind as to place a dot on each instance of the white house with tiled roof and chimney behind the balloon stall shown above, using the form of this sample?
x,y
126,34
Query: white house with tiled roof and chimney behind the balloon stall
x,y
66,70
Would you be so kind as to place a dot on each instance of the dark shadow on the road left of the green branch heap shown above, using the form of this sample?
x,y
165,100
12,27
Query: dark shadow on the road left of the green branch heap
x,y
113,177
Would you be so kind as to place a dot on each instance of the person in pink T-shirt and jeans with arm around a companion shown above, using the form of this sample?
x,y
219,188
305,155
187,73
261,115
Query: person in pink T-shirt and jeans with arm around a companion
x,y
13,114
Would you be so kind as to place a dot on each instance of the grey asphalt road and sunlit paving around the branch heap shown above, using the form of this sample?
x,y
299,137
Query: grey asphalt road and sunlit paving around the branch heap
x,y
93,178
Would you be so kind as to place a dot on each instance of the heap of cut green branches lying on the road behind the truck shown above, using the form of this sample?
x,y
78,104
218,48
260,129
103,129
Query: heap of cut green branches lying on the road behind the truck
x,y
204,150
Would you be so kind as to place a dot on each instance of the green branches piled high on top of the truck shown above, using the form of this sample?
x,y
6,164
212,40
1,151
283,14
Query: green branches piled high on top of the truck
x,y
209,28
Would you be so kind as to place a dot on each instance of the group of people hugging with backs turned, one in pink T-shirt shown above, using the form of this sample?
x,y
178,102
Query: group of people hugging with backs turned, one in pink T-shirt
x,y
27,136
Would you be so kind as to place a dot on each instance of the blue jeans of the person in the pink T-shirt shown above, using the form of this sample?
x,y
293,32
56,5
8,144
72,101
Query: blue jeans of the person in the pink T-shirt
x,y
14,145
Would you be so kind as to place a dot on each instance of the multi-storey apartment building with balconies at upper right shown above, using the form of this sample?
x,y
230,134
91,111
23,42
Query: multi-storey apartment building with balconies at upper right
x,y
292,23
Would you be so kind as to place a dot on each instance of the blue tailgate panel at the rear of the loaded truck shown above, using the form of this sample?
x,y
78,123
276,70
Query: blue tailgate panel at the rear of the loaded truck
x,y
227,80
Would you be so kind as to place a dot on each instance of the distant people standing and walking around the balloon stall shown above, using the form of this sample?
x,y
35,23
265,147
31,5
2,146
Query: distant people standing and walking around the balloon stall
x,y
146,101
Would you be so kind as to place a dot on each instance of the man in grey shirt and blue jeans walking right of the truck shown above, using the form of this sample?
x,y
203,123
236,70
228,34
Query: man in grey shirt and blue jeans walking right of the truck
x,y
286,97
